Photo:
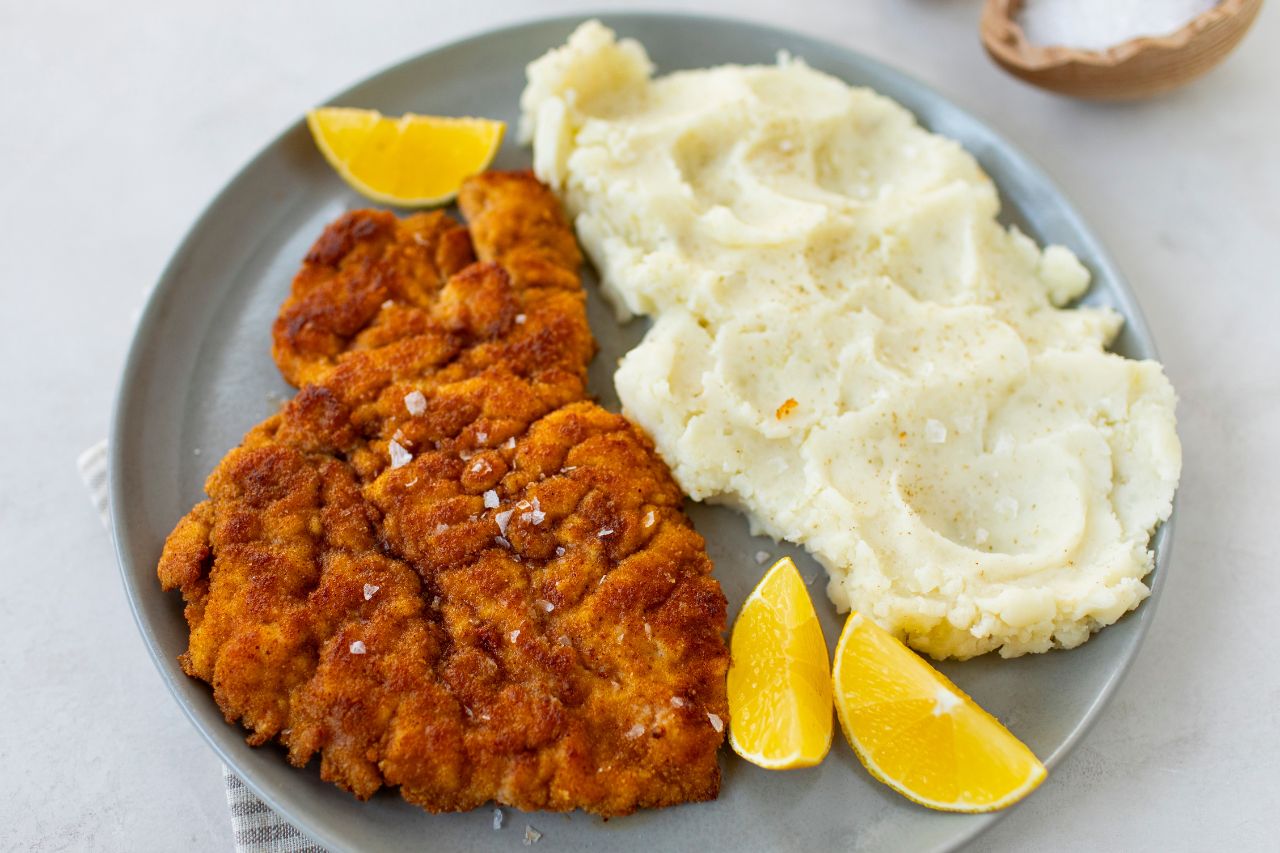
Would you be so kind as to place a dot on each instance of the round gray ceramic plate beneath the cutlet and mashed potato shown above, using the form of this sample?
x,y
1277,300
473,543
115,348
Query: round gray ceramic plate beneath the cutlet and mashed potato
x,y
200,375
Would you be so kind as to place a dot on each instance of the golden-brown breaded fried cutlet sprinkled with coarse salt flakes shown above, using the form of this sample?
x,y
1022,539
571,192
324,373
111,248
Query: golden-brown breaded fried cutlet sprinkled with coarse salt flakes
x,y
440,567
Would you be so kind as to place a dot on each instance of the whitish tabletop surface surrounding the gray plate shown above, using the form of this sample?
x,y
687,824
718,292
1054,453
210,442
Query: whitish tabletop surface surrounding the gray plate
x,y
120,122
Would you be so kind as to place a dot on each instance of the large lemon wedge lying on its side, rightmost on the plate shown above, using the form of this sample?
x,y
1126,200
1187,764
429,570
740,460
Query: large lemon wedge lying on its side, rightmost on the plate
x,y
918,733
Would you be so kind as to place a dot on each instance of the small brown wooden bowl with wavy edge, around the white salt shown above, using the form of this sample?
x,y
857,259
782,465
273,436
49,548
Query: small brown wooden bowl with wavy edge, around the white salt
x,y
1131,70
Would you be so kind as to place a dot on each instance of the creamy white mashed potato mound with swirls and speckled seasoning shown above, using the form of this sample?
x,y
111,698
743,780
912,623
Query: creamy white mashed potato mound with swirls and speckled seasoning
x,y
848,346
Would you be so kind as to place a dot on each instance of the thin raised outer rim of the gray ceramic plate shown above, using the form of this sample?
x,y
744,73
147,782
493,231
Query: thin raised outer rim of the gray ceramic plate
x,y
1162,542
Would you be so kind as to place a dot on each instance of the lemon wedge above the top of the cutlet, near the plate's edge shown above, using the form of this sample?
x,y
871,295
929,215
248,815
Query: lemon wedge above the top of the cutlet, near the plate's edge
x,y
409,162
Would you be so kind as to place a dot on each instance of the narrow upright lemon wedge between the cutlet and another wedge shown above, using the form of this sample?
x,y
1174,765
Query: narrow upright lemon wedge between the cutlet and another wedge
x,y
779,679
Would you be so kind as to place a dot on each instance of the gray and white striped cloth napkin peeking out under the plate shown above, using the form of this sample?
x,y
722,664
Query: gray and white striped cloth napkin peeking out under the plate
x,y
255,827
